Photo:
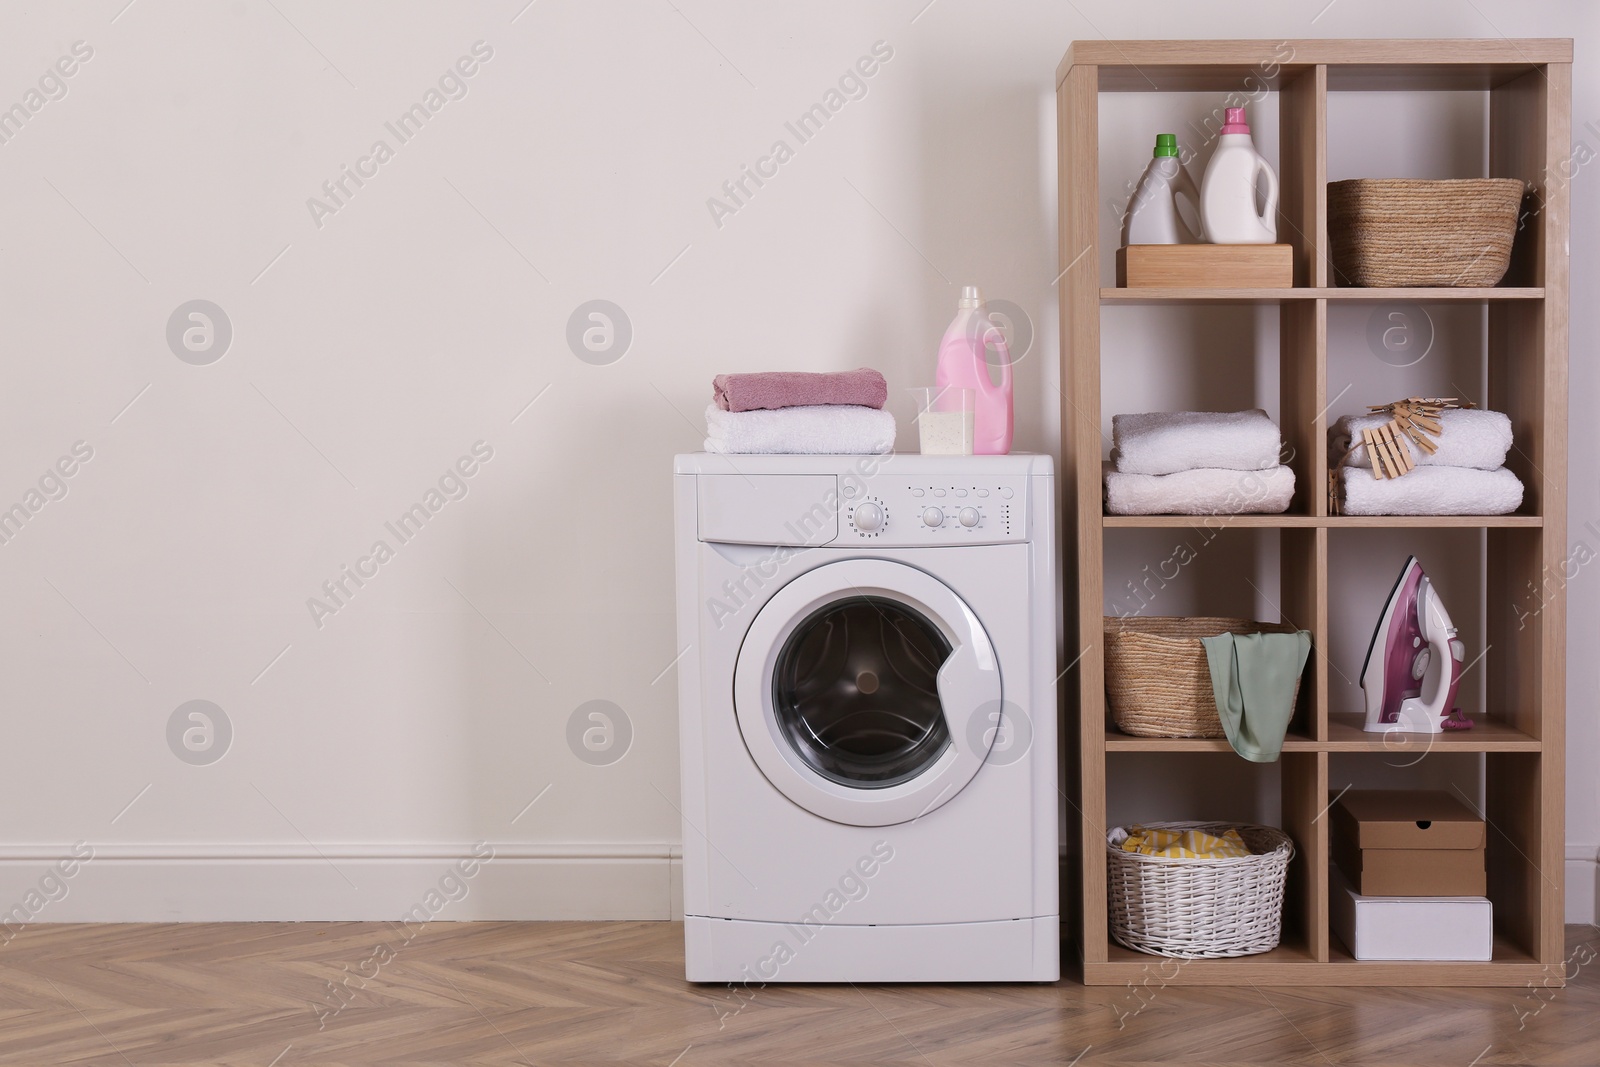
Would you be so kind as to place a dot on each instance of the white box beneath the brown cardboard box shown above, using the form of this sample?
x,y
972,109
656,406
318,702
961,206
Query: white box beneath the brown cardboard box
x,y
1412,927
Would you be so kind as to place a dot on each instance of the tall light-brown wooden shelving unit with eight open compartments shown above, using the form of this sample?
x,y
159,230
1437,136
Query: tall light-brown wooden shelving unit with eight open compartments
x,y
1529,84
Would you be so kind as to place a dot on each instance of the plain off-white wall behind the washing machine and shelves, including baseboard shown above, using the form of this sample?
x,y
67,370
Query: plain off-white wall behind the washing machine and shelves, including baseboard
x,y
375,346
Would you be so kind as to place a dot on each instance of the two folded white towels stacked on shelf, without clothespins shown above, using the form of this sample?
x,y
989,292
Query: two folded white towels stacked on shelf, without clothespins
x,y
1198,463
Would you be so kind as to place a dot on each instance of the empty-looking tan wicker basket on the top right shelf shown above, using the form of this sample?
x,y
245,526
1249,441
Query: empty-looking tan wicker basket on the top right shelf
x,y
1410,233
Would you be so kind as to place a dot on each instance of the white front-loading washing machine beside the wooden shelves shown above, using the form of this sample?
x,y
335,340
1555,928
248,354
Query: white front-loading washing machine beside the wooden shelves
x,y
868,711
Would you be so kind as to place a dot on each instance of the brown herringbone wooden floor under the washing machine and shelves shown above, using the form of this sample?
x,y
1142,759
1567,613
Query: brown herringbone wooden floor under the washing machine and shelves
x,y
615,994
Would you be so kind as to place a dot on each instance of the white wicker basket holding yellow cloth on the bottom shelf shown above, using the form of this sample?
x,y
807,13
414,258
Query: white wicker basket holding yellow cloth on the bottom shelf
x,y
1198,909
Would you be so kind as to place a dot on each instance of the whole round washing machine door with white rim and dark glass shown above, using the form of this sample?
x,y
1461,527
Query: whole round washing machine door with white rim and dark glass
x,y
863,692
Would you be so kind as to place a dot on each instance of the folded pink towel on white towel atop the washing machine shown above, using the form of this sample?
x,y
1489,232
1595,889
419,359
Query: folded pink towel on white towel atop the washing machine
x,y
799,412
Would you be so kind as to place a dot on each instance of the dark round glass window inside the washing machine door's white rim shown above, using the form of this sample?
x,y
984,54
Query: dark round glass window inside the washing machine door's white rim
x,y
857,692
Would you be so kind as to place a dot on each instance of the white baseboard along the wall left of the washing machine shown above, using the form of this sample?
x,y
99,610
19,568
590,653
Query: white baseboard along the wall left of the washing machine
x,y
199,884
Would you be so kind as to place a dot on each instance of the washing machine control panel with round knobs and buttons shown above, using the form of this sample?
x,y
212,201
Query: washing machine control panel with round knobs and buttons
x,y
935,513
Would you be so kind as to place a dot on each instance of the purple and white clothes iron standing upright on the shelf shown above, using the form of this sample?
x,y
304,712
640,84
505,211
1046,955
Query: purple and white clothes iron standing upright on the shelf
x,y
1414,663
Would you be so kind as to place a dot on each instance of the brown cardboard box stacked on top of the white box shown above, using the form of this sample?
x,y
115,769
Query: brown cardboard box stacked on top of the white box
x,y
1409,844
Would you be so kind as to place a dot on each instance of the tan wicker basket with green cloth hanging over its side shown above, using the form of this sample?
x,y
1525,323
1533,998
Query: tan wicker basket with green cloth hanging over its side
x,y
1158,679
